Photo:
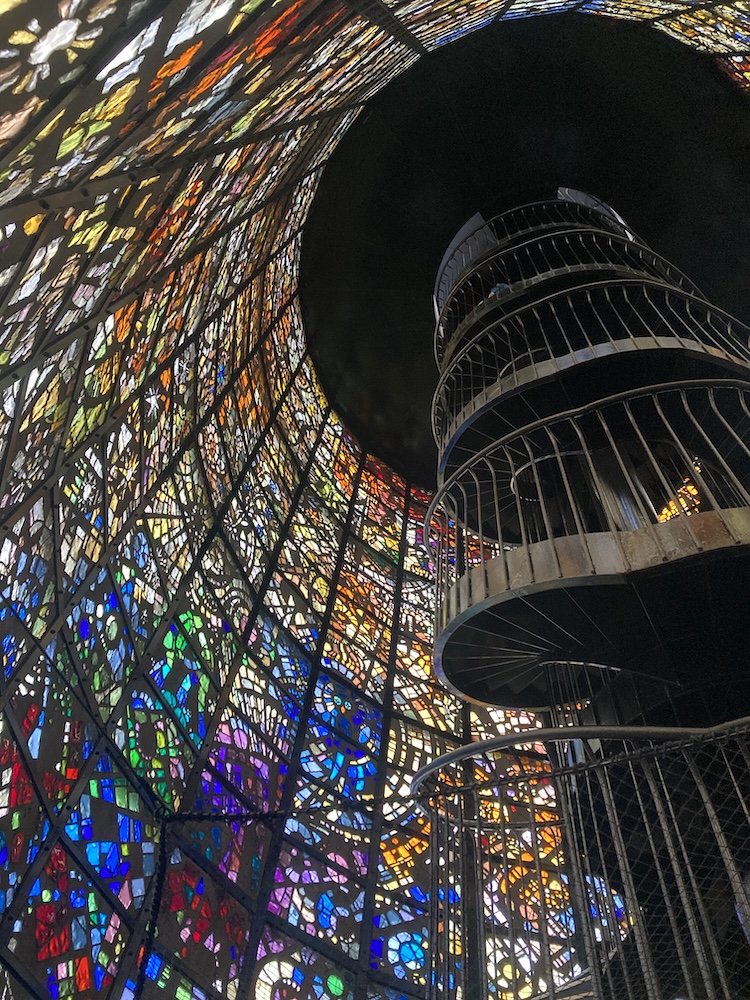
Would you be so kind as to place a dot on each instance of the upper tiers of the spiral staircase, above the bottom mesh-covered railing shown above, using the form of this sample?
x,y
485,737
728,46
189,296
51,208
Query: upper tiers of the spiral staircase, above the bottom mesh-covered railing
x,y
592,417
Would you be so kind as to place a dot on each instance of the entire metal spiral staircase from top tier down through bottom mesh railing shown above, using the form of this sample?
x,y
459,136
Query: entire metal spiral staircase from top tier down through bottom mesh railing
x,y
591,539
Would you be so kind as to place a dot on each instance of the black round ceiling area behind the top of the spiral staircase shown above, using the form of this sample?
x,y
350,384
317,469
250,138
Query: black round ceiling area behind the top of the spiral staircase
x,y
494,120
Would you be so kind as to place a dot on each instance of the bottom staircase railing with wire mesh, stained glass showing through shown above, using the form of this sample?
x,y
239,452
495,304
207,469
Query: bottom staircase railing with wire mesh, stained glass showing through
x,y
607,863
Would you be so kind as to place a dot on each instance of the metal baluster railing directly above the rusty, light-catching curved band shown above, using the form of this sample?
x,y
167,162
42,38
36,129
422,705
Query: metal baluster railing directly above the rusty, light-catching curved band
x,y
632,462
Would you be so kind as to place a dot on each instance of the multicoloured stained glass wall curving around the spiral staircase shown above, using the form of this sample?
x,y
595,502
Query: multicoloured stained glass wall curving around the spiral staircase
x,y
214,609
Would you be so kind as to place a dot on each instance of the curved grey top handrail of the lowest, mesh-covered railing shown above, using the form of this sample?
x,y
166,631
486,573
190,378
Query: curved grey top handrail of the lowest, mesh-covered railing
x,y
565,733
